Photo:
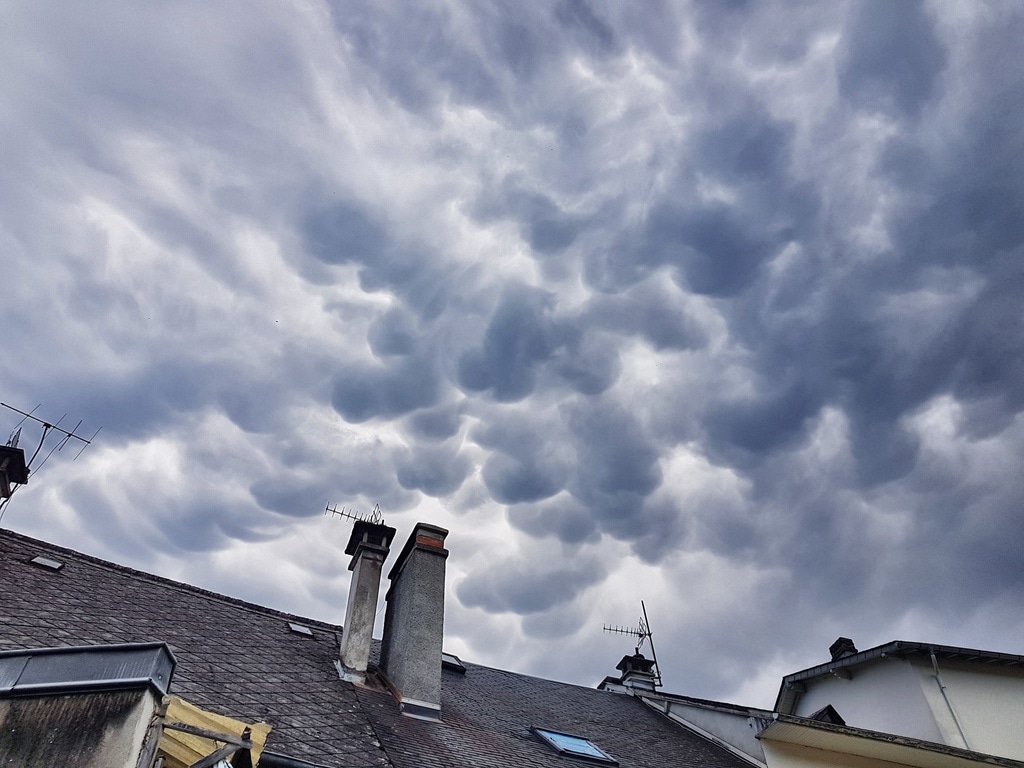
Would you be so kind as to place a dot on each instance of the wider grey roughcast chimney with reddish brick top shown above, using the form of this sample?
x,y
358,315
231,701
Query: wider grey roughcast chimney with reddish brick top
x,y
414,623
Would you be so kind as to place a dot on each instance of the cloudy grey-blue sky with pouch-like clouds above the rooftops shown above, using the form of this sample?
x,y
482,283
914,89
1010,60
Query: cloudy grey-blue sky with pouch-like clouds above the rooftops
x,y
715,306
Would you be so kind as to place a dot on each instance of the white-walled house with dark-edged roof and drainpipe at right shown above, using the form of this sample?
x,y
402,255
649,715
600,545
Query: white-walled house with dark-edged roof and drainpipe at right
x,y
905,702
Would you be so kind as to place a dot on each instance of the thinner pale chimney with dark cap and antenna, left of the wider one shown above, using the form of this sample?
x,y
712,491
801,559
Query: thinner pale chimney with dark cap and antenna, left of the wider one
x,y
369,548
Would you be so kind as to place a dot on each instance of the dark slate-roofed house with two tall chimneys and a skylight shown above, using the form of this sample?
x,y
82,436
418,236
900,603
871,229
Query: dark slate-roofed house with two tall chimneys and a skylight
x,y
282,691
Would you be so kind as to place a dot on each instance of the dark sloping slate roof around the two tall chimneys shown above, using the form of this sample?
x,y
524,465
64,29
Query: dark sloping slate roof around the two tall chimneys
x,y
242,660
